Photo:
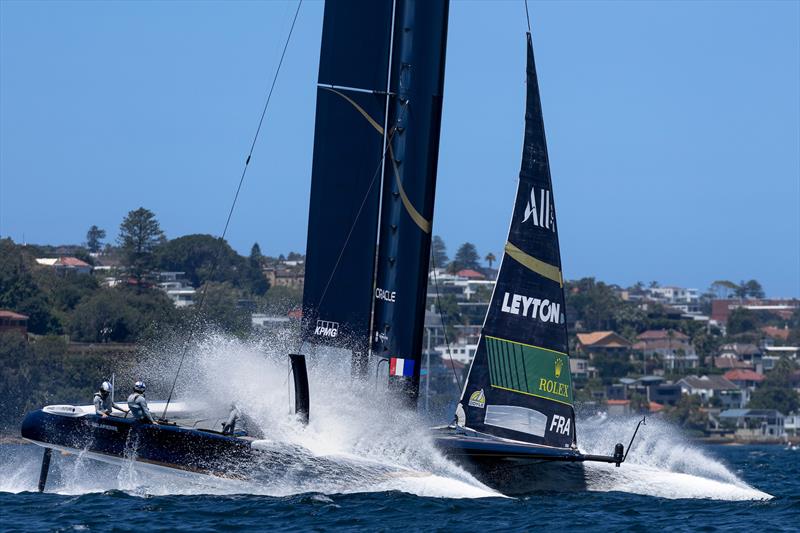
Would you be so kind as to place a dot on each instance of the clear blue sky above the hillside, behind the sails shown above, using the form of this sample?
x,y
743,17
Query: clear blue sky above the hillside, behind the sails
x,y
673,128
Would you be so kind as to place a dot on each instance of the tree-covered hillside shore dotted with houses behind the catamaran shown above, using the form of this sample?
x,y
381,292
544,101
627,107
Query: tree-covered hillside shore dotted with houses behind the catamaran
x,y
94,308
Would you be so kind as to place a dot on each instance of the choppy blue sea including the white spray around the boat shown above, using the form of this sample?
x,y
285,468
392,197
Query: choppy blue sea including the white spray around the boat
x,y
371,466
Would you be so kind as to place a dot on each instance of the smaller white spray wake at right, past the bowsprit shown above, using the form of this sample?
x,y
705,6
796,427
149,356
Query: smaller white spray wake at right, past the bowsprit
x,y
661,463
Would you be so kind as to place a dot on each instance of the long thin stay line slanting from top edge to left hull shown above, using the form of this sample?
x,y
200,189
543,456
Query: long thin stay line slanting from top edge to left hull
x,y
215,264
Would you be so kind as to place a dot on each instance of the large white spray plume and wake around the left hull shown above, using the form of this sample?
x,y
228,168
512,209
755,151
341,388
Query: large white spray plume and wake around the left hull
x,y
357,439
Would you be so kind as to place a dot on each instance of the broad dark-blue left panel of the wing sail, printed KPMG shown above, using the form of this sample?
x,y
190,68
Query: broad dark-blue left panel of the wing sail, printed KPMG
x,y
346,179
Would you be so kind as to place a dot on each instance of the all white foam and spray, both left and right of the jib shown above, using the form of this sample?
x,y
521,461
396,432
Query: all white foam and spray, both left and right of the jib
x,y
358,440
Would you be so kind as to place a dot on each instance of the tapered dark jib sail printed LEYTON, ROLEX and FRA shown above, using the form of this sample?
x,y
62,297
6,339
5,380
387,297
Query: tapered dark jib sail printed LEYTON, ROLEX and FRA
x,y
519,384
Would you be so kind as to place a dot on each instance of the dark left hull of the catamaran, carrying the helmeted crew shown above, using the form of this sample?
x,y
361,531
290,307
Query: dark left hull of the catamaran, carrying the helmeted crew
x,y
171,446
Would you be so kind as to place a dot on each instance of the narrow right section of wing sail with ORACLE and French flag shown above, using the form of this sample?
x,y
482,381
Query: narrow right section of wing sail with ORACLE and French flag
x,y
417,82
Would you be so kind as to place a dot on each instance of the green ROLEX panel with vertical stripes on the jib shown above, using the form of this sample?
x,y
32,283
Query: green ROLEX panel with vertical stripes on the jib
x,y
529,369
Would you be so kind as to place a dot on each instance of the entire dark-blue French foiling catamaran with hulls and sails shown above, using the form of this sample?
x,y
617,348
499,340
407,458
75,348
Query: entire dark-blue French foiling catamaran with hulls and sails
x,y
378,118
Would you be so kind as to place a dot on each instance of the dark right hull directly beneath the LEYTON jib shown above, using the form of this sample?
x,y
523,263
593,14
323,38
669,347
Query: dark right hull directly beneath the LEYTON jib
x,y
513,468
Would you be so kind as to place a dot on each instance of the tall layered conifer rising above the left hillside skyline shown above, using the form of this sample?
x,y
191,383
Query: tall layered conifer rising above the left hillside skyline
x,y
139,235
